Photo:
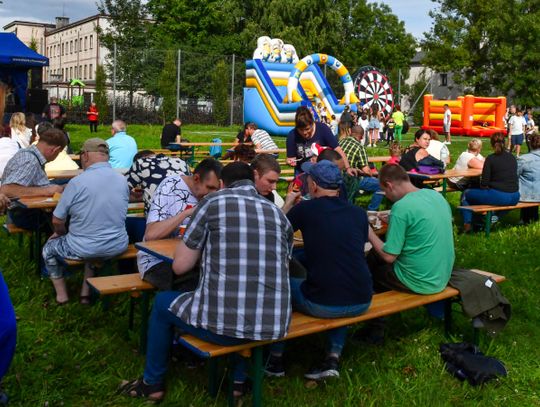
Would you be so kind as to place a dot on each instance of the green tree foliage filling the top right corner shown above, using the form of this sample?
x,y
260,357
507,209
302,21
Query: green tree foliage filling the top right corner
x,y
493,47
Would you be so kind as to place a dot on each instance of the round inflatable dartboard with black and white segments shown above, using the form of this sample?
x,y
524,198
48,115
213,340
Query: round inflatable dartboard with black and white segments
x,y
373,88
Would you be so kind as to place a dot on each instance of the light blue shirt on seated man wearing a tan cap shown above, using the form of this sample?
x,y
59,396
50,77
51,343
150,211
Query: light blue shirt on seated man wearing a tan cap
x,y
96,202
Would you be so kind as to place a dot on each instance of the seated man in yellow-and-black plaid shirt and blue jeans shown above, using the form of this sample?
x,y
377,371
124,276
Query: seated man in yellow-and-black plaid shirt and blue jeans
x,y
356,154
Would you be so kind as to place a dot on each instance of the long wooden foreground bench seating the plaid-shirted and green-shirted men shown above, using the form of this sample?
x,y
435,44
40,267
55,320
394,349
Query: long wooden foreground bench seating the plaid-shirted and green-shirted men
x,y
383,304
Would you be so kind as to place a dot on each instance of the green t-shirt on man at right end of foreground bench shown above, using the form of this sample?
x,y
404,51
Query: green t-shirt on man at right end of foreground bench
x,y
420,234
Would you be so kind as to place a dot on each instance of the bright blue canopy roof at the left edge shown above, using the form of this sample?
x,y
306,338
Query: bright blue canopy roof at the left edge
x,y
13,52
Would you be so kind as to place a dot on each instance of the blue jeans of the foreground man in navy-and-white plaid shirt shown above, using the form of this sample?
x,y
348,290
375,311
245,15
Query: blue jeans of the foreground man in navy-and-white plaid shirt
x,y
160,336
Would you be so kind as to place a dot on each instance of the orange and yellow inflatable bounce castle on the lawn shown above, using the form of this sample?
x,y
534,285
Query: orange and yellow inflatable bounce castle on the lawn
x,y
471,115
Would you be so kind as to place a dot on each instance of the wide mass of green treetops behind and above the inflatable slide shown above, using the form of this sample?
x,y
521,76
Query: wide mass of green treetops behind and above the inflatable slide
x,y
354,31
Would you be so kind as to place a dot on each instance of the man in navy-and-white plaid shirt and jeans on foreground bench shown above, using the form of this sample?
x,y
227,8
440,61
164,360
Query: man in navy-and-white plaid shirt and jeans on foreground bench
x,y
244,242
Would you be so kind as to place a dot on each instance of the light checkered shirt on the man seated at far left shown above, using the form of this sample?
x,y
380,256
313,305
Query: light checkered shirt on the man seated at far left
x,y
26,168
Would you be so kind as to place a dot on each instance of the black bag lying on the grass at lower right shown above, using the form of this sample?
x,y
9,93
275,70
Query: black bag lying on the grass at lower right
x,y
467,362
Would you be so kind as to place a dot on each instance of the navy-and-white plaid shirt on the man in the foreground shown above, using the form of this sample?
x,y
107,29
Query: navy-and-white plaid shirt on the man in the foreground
x,y
246,244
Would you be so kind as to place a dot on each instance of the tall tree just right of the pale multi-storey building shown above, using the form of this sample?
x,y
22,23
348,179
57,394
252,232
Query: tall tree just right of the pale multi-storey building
x,y
128,29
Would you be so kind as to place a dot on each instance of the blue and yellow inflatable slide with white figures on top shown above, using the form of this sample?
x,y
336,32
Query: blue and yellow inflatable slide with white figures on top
x,y
277,83
